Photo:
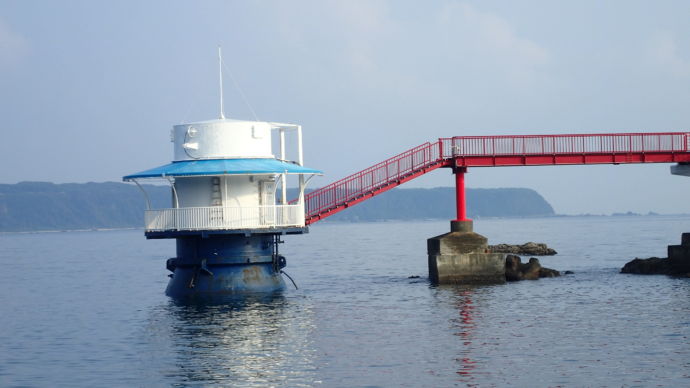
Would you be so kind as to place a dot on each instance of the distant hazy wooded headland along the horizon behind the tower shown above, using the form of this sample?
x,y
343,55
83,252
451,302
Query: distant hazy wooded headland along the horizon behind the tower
x,y
39,206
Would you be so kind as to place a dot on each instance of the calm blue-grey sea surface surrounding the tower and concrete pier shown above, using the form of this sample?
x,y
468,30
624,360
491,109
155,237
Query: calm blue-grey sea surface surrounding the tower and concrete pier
x,y
85,309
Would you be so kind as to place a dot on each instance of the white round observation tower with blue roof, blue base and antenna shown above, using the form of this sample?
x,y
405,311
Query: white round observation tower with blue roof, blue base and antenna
x,y
225,214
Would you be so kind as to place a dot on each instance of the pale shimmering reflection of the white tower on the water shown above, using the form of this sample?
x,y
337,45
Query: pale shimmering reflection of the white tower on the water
x,y
250,341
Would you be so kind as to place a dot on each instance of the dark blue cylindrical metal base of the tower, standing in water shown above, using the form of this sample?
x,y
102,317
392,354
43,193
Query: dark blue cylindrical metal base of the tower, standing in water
x,y
225,264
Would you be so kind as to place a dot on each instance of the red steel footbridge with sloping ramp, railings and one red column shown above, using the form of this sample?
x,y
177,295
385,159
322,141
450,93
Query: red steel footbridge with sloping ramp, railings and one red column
x,y
461,152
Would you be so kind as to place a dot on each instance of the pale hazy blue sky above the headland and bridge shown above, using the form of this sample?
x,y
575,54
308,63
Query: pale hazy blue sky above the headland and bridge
x,y
89,90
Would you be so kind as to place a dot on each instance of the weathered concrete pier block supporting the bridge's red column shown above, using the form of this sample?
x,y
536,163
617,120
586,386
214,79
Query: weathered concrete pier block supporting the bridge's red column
x,y
462,257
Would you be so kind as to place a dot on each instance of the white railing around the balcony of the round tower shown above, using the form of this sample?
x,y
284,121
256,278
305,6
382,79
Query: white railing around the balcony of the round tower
x,y
220,218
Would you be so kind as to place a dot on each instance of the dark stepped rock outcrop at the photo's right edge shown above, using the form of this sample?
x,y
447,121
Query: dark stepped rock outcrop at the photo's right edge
x,y
677,263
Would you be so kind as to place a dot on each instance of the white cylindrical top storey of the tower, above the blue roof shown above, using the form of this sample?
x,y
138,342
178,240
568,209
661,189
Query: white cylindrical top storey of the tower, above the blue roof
x,y
222,139
